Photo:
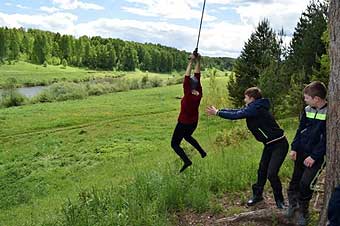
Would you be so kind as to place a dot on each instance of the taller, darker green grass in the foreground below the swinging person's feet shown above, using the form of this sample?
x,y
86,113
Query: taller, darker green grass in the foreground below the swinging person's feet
x,y
154,196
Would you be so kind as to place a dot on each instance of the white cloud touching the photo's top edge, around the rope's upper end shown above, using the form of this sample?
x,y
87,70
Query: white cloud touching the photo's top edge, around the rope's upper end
x,y
169,9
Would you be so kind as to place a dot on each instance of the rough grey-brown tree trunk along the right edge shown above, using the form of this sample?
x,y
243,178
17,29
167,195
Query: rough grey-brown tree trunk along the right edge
x,y
333,118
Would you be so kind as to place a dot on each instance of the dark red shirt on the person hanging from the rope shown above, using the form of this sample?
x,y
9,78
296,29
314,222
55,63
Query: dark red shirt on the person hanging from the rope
x,y
190,103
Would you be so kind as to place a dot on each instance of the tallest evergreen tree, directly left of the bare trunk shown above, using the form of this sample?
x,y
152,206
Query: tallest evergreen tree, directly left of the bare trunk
x,y
305,52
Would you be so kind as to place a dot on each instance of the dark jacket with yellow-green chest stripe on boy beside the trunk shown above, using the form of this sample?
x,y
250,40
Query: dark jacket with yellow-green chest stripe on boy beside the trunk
x,y
310,137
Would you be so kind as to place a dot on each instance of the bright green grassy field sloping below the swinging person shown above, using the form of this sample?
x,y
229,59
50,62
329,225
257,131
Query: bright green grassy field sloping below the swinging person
x,y
107,160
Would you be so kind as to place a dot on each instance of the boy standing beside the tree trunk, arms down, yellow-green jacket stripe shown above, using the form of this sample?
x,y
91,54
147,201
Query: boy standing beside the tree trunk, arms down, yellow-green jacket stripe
x,y
308,151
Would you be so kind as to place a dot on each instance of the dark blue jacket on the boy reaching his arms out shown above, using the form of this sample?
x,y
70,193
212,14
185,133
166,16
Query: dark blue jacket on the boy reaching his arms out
x,y
260,121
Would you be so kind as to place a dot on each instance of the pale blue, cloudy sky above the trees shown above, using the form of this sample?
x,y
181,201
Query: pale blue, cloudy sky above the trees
x,y
227,23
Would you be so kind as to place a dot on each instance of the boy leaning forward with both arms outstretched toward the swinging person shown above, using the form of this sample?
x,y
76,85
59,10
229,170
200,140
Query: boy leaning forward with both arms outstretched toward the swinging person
x,y
263,126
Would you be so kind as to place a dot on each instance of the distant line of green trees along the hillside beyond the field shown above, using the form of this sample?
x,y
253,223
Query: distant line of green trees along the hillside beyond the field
x,y
44,47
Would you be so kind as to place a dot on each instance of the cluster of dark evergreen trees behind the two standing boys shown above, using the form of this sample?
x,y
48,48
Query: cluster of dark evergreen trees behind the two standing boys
x,y
282,71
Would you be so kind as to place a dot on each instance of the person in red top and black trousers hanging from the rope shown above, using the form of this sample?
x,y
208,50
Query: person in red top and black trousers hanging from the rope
x,y
188,117
